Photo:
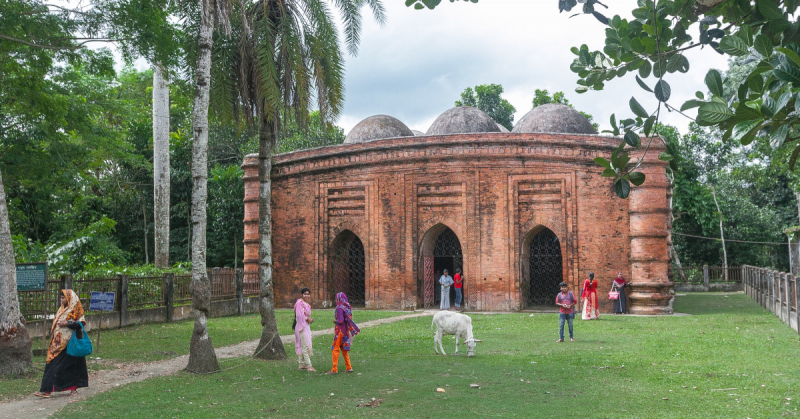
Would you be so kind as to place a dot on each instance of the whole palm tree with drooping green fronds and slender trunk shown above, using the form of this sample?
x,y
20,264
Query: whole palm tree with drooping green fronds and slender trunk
x,y
286,55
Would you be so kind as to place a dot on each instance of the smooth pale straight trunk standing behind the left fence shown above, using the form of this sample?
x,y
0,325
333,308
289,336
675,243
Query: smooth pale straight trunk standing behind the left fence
x,y
161,173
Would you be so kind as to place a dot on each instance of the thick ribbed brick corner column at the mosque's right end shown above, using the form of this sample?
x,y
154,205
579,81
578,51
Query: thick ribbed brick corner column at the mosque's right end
x,y
651,289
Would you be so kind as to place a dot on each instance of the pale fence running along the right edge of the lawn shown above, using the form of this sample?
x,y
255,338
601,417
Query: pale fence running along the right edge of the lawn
x,y
775,291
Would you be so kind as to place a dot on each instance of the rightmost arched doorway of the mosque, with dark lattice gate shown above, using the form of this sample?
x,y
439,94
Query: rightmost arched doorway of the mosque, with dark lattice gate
x,y
542,268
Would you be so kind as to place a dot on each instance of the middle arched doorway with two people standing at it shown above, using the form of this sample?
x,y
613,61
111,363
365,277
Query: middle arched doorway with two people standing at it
x,y
441,250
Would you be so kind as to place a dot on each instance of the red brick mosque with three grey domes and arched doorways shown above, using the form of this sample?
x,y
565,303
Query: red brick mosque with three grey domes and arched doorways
x,y
382,215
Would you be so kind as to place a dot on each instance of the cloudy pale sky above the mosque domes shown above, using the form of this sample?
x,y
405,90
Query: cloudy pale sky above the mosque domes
x,y
416,65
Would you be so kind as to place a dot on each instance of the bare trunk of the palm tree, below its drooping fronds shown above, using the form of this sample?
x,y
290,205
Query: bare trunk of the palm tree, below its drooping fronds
x,y
270,346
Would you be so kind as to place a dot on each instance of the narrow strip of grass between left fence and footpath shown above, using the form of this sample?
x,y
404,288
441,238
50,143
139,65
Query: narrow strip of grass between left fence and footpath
x,y
154,342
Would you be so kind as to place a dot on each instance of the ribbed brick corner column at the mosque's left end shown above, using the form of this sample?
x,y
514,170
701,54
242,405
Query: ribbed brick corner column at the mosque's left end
x,y
250,166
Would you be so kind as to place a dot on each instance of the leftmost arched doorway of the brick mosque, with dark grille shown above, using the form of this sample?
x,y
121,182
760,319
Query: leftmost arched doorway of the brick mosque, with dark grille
x,y
347,268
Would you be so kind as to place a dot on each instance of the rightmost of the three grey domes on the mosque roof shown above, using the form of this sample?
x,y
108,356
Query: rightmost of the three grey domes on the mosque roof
x,y
554,118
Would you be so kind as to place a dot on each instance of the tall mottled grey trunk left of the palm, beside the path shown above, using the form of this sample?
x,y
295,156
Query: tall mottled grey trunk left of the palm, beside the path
x,y
202,358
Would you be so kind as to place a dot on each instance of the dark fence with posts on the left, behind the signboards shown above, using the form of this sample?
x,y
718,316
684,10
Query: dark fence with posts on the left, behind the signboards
x,y
136,292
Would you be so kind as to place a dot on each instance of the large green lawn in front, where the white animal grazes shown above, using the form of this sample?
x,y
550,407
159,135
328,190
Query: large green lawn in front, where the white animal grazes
x,y
730,358
